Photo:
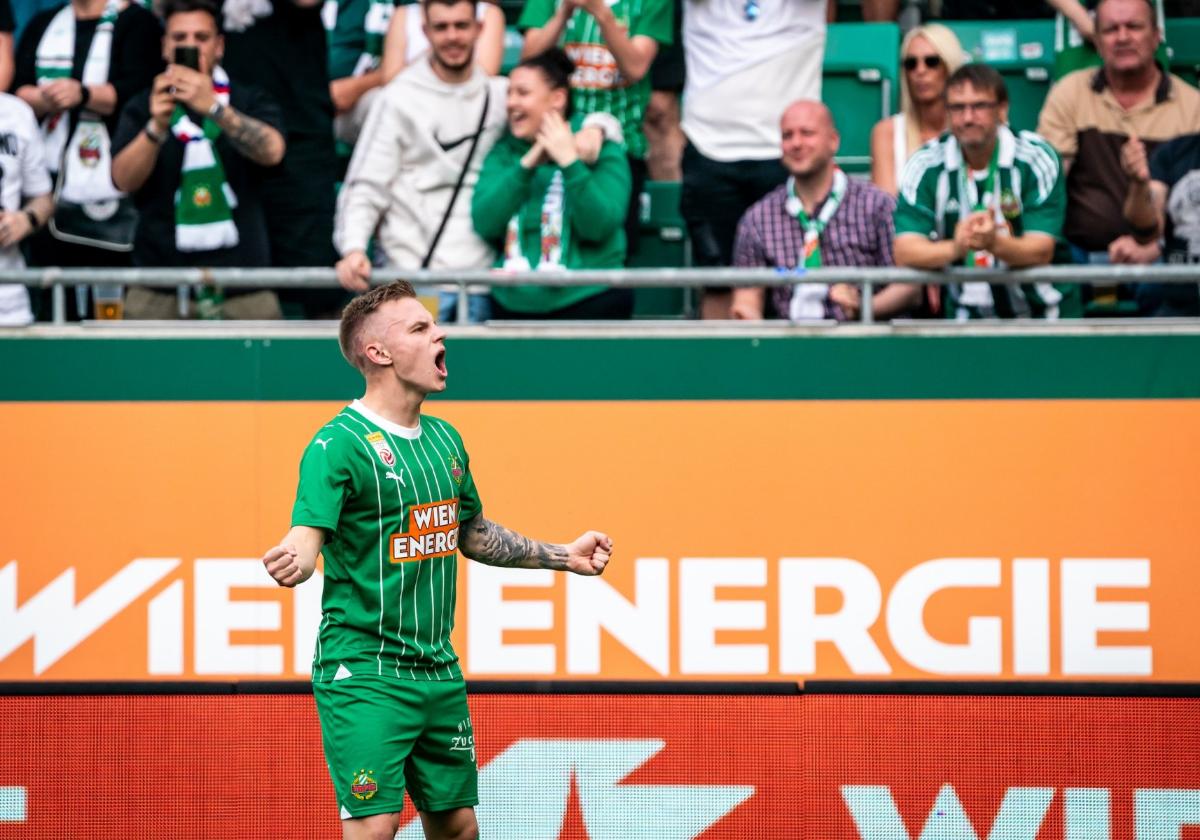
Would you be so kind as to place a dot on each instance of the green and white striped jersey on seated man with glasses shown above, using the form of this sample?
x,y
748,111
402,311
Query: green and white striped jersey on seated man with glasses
x,y
1025,191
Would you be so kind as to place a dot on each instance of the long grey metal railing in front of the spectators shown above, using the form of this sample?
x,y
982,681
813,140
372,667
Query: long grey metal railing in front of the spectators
x,y
58,279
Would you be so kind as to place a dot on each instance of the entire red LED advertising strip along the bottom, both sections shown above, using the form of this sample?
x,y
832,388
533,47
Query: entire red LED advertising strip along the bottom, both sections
x,y
628,767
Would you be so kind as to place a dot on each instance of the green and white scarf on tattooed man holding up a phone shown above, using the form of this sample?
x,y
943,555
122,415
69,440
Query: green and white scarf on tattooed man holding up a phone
x,y
205,201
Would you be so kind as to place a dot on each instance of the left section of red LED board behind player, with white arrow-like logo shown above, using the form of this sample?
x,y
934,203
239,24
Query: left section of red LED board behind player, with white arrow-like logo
x,y
551,767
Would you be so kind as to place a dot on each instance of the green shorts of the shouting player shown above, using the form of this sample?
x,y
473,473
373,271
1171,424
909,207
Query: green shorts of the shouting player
x,y
385,735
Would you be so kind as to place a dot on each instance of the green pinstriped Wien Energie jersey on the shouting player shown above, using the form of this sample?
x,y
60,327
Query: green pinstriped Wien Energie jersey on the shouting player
x,y
391,501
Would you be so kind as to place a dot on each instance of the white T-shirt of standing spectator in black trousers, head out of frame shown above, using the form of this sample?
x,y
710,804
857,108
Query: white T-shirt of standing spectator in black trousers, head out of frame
x,y
747,62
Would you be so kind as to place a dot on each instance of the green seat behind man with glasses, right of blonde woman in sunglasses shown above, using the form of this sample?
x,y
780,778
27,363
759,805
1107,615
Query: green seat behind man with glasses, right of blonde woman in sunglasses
x,y
1023,52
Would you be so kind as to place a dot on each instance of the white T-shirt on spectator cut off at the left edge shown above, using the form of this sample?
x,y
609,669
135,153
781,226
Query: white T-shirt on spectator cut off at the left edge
x,y
23,173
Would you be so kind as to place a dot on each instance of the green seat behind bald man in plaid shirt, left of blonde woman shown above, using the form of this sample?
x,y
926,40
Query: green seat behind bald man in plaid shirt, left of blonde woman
x,y
860,85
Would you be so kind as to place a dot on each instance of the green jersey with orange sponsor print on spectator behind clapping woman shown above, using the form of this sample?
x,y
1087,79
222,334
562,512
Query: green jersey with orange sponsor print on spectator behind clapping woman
x,y
597,86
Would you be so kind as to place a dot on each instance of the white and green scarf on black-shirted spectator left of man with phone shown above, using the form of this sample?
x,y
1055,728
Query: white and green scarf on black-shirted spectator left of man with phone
x,y
55,59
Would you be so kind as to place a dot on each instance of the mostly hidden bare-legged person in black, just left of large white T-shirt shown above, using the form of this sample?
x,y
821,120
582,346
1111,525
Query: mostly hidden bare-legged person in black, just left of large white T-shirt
x,y
664,137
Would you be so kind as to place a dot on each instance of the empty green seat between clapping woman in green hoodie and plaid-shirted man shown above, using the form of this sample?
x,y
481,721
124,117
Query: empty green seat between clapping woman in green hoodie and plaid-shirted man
x,y
663,245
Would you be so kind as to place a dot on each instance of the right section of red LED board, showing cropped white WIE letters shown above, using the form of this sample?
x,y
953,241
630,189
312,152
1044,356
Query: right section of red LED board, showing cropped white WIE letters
x,y
1004,769
